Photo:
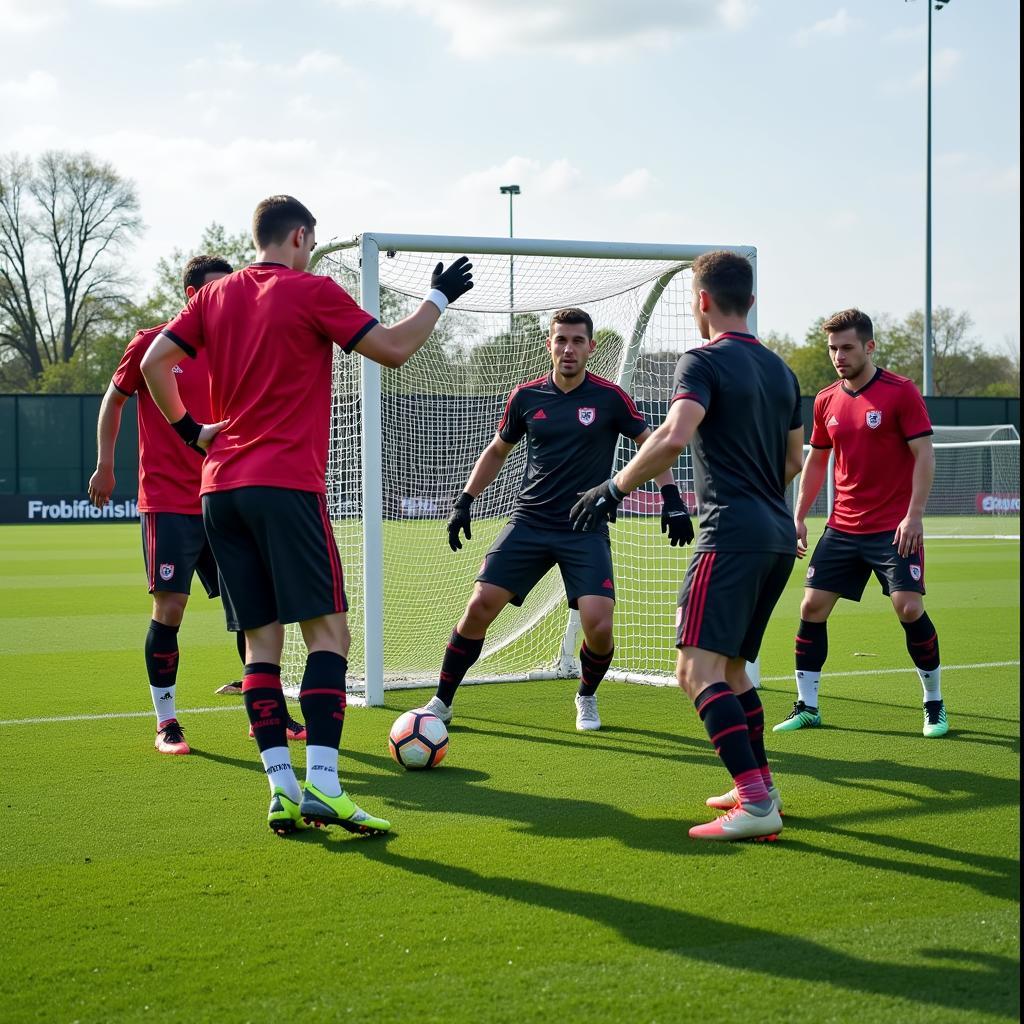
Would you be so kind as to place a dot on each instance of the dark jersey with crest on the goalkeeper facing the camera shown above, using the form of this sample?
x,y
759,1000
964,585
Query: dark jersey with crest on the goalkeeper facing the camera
x,y
572,439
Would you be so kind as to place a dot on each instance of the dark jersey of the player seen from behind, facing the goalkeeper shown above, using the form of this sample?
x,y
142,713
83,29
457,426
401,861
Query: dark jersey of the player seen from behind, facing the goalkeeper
x,y
752,402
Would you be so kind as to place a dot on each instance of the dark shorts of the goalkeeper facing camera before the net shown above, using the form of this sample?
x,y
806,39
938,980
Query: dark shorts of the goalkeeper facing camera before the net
x,y
523,554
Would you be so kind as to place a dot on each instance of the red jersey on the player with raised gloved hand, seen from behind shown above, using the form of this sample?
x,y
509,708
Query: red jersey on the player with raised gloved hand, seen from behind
x,y
268,332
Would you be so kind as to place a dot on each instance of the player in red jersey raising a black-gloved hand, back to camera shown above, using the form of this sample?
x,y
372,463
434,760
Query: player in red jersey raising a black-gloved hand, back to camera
x,y
269,333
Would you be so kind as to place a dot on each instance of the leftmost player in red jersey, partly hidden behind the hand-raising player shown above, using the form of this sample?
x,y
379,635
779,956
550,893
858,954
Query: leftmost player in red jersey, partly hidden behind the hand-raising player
x,y
175,543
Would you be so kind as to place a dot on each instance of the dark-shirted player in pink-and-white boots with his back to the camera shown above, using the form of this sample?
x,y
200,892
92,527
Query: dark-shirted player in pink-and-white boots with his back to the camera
x,y
739,406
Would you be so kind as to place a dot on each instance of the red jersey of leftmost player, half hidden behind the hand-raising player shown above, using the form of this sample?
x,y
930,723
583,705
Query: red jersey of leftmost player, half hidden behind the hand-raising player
x,y
169,472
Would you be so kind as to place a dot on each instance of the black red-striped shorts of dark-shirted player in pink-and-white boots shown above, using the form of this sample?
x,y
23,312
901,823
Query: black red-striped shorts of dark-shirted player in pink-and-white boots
x,y
728,599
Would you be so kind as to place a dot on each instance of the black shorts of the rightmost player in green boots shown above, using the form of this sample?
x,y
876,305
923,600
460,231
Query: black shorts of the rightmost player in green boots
x,y
842,565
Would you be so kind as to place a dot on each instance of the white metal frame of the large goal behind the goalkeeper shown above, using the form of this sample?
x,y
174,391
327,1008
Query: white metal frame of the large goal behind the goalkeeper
x,y
370,245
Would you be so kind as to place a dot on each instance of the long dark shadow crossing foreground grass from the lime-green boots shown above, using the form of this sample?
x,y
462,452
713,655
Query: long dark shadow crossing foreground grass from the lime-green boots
x,y
991,988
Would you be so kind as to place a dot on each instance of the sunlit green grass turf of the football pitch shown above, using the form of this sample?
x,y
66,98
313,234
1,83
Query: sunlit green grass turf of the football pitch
x,y
539,875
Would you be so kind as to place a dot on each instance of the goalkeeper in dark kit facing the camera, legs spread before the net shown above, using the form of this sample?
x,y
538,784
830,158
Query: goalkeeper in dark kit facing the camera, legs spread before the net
x,y
572,420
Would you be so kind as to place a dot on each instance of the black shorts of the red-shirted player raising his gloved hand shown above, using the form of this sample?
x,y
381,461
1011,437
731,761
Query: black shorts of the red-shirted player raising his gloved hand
x,y
278,557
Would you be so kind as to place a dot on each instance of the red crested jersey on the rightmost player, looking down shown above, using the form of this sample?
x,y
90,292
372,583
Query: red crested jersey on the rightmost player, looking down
x,y
869,431
